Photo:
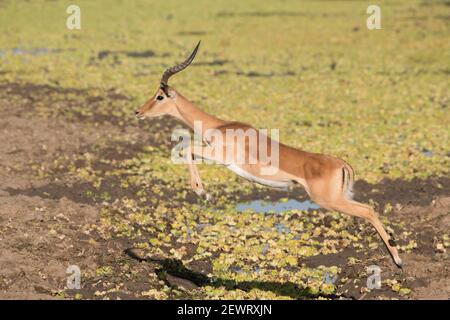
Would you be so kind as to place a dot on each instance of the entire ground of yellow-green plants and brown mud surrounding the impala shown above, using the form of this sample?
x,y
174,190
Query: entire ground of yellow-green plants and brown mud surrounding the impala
x,y
82,182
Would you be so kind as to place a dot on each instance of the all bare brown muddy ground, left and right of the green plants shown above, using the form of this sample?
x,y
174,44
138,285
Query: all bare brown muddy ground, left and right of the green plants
x,y
48,223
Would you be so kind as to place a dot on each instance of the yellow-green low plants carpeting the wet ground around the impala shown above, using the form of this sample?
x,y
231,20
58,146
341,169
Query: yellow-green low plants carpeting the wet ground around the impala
x,y
378,99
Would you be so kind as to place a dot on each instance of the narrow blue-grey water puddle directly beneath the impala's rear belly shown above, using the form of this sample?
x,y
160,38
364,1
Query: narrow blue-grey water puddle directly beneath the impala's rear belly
x,y
261,206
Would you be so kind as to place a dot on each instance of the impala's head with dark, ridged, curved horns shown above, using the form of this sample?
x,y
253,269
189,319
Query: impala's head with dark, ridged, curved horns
x,y
163,101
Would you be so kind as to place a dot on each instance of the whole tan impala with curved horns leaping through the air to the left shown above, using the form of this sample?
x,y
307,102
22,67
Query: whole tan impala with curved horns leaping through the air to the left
x,y
327,180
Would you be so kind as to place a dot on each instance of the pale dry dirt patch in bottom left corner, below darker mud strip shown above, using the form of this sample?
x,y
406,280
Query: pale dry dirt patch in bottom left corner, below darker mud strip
x,y
40,239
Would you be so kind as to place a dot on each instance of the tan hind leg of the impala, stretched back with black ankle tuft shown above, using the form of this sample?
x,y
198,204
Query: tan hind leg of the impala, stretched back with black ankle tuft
x,y
364,211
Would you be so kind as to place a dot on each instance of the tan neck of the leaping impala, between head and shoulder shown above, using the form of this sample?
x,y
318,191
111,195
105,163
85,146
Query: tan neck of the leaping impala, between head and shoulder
x,y
188,113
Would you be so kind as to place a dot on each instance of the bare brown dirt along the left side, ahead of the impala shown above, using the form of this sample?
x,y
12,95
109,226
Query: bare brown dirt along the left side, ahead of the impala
x,y
46,221
